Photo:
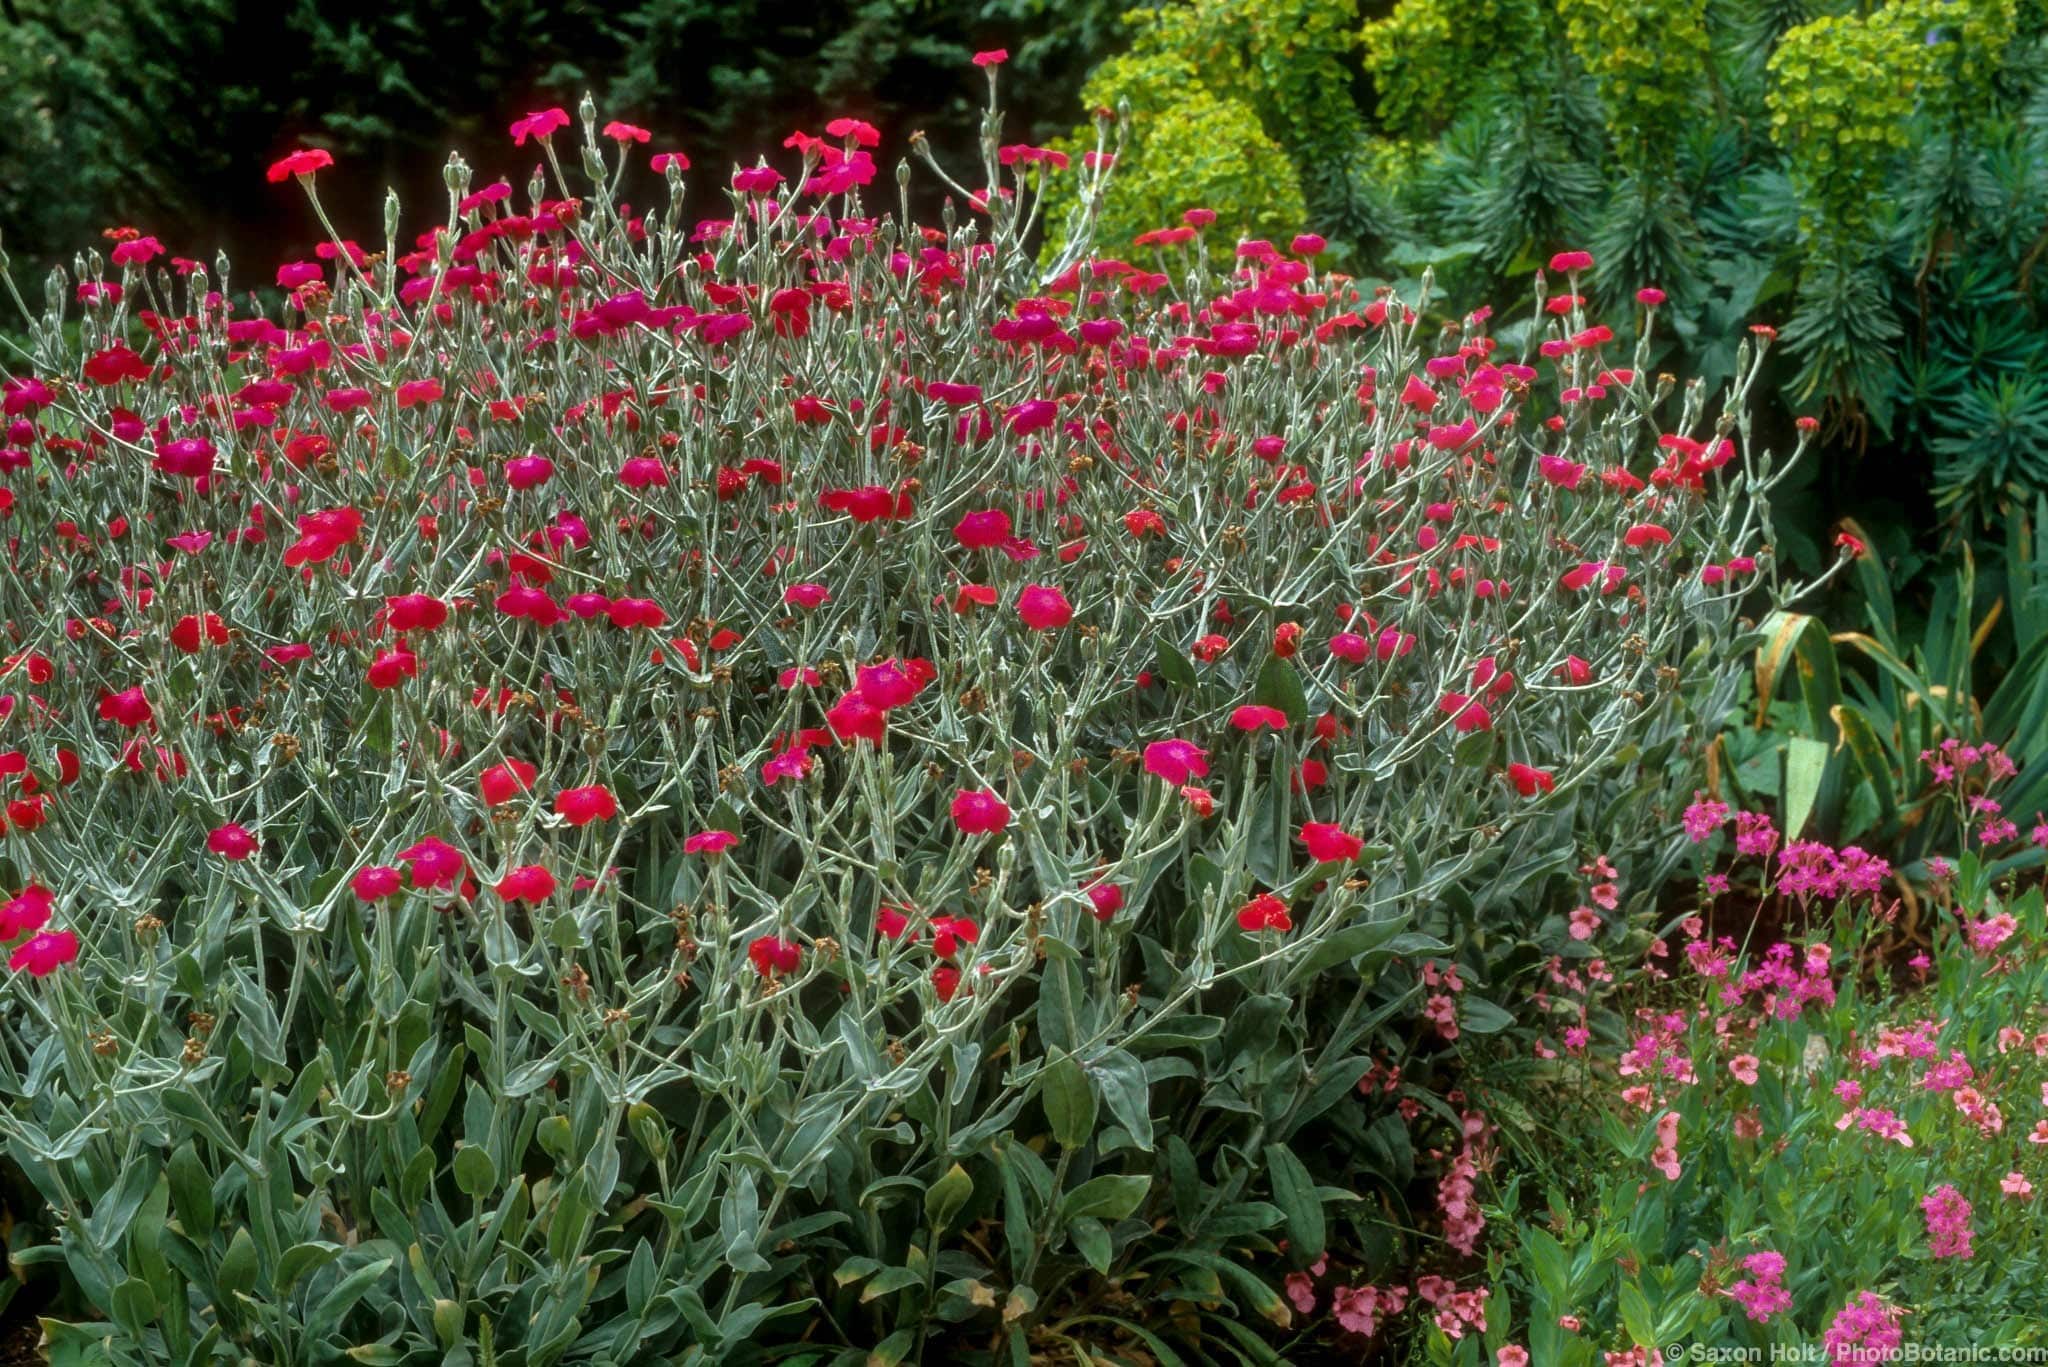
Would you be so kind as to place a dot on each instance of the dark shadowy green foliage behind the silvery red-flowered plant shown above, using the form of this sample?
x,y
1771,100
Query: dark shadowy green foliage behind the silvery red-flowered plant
x,y
163,114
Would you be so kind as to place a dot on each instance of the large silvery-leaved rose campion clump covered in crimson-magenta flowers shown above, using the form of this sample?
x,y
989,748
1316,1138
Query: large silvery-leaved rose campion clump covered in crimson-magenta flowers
x,y
601,788
